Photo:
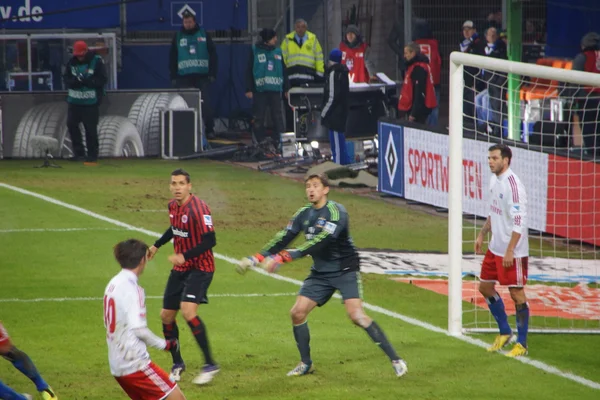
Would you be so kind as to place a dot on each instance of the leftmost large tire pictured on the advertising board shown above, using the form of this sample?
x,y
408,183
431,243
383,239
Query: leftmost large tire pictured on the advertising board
x,y
42,120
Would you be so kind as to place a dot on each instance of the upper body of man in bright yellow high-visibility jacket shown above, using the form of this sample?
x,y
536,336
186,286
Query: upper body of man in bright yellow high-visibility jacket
x,y
303,55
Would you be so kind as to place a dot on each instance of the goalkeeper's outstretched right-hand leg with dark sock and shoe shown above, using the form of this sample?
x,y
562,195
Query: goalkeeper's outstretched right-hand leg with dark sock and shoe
x,y
357,314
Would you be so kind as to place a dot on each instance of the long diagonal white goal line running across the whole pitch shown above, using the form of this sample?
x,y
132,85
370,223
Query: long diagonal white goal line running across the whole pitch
x,y
413,321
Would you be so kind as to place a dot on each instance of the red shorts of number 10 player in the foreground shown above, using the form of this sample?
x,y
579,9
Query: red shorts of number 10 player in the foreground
x,y
151,383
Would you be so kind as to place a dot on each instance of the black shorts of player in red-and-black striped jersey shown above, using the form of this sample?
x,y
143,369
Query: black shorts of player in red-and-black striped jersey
x,y
191,286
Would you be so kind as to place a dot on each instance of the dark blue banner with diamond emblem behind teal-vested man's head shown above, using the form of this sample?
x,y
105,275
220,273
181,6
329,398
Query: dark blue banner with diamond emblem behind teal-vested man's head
x,y
166,15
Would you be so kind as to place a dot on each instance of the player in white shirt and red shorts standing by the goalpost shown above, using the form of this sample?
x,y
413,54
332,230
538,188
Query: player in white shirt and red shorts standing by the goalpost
x,y
506,258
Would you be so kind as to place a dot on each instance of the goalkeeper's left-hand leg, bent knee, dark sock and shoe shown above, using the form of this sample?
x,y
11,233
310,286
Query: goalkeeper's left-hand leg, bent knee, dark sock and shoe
x,y
299,314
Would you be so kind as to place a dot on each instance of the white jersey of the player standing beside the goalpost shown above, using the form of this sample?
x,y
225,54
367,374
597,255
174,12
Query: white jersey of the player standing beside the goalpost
x,y
508,213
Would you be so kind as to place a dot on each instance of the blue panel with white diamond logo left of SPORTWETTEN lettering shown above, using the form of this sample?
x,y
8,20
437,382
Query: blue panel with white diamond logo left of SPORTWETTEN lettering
x,y
391,159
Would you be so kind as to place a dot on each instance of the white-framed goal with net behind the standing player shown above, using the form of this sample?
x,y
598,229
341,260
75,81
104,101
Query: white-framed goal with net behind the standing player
x,y
549,115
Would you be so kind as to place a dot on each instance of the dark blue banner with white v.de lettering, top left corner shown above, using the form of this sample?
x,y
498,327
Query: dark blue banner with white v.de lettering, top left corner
x,y
56,14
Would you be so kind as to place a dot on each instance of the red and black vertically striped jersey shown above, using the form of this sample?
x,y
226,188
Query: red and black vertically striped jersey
x,y
188,223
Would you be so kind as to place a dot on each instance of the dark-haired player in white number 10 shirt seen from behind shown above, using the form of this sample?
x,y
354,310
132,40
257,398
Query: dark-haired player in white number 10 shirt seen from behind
x,y
127,332
